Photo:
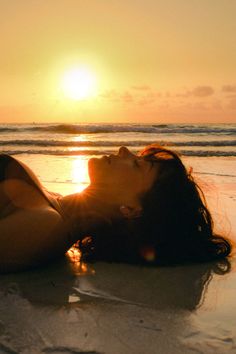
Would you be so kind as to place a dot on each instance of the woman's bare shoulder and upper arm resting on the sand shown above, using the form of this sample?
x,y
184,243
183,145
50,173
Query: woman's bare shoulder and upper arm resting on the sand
x,y
31,237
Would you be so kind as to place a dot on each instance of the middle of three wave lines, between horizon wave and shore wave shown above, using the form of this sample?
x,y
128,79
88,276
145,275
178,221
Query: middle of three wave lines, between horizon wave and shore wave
x,y
101,143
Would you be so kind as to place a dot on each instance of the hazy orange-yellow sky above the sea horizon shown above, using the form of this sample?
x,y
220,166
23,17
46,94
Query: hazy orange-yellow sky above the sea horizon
x,y
152,61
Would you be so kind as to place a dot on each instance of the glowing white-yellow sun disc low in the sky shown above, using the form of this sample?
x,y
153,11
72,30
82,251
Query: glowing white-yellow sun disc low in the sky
x,y
79,83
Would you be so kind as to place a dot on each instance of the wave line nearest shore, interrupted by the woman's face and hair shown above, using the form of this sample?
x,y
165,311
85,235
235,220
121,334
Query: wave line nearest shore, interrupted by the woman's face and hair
x,y
110,151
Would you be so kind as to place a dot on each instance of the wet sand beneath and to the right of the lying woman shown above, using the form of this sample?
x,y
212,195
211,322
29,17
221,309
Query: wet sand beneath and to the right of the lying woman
x,y
70,307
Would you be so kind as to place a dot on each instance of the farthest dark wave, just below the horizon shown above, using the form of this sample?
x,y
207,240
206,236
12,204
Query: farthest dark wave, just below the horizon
x,y
122,128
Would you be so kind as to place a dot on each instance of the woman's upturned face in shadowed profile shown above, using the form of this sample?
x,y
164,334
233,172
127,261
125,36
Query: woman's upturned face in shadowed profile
x,y
122,177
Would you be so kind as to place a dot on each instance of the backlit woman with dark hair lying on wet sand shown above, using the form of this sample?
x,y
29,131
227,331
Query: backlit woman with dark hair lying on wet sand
x,y
143,209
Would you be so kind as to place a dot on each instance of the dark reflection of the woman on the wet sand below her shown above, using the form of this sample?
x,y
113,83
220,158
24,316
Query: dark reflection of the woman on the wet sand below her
x,y
179,287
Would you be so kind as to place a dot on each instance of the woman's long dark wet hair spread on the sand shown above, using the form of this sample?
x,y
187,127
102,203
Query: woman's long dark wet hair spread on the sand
x,y
175,227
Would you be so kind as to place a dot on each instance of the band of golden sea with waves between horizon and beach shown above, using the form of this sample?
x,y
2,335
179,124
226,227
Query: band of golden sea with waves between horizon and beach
x,y
98,139
